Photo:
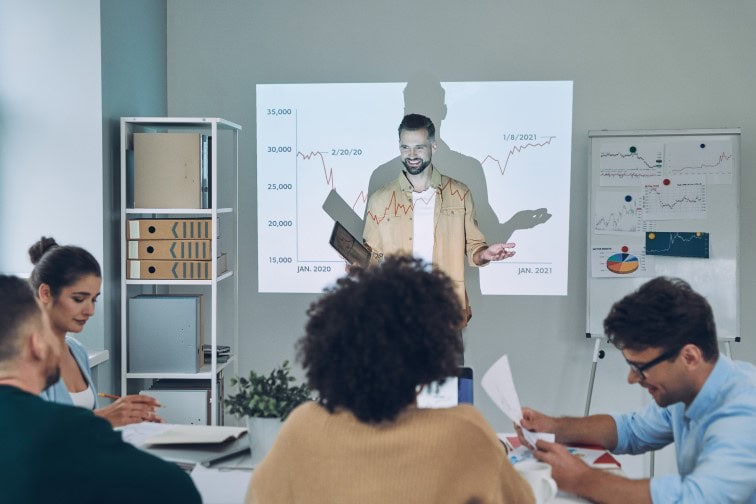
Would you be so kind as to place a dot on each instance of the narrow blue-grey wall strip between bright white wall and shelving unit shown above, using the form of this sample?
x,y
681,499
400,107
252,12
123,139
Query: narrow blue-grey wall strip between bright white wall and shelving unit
x,y
133,84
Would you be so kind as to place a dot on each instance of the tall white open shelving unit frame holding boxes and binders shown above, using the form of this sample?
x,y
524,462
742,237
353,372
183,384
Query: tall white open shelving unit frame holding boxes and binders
x,y
224,175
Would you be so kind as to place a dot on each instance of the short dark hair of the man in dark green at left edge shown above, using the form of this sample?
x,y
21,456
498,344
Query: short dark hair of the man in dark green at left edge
x,y
17,307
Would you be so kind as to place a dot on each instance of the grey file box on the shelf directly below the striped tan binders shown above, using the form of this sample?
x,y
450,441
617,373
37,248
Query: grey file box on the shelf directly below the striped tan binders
x,y
165,333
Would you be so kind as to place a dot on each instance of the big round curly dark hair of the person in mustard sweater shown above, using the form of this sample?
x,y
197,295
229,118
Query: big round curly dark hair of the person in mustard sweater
x,y
377,334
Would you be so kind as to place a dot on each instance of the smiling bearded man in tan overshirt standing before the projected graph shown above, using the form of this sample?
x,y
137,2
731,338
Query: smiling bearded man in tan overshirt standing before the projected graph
x,y
427,214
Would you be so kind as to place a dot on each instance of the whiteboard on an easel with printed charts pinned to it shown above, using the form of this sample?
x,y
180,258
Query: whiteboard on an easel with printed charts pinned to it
x,y
677,192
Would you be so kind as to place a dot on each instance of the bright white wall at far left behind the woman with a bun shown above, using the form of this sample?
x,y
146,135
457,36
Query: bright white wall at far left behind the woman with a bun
x,y
50,132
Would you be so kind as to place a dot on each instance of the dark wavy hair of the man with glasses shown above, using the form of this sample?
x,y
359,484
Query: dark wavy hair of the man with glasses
x,y
664,313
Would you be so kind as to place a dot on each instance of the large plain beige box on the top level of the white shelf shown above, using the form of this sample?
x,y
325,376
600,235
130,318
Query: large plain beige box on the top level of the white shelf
x,y
170,170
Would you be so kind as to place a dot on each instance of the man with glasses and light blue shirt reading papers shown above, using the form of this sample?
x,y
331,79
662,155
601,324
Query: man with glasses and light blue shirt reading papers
x,y
704,403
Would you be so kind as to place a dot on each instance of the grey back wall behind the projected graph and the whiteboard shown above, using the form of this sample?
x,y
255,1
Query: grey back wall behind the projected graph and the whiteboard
x,y
635,65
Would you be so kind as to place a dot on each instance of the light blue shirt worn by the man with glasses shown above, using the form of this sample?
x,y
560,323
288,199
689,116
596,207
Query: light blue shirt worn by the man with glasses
x,y
715,439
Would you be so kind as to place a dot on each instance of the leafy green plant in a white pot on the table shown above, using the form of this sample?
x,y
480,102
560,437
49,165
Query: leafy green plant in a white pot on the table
x,y
266,401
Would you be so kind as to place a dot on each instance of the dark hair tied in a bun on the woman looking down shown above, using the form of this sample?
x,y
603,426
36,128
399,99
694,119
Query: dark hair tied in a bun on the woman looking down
x,y
60,266
